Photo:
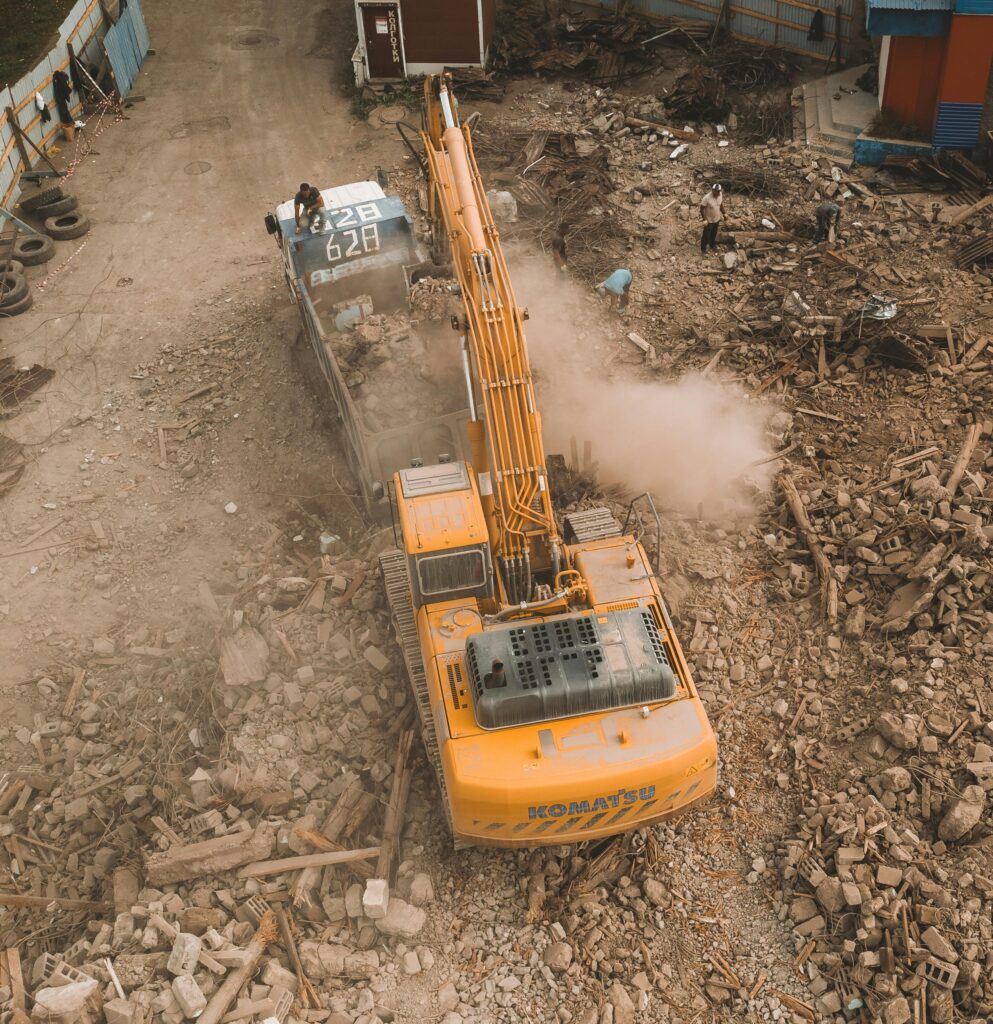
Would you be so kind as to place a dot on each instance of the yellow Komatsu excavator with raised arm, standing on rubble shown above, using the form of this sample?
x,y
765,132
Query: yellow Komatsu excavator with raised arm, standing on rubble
x,y
555,703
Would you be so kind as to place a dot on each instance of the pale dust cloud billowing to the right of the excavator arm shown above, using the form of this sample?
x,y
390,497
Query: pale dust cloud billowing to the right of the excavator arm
x,y
690,442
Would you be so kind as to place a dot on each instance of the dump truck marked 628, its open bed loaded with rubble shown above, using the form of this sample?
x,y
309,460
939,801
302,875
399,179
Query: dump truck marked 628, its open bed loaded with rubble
x,y
395,387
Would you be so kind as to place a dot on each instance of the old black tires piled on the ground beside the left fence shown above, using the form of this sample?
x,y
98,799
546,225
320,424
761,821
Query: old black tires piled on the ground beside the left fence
x,y
59,217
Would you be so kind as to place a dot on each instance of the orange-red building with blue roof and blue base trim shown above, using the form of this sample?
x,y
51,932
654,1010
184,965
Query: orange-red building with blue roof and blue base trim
x,y
935,65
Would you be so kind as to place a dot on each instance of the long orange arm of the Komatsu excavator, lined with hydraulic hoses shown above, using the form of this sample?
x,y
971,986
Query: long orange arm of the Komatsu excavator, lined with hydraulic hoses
x,y
505,432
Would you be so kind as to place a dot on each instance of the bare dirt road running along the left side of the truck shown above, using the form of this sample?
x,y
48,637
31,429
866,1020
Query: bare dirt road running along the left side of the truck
x,y
177,288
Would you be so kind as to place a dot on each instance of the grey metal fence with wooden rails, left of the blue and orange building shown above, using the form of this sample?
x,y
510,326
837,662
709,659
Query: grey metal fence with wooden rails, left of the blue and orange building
x,y
774,23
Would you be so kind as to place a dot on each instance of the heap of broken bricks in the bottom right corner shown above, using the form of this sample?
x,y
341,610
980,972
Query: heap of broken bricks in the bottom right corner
x,y
887,917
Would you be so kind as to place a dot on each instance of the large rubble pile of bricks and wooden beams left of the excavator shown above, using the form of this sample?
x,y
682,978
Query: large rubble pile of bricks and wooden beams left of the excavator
x,y
178,834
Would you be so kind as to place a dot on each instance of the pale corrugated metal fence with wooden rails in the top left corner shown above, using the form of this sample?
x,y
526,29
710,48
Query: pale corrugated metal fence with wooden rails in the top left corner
x,y
83,28
